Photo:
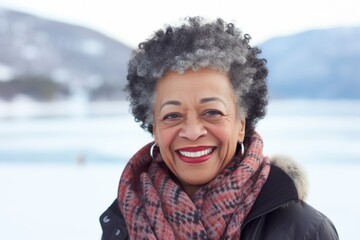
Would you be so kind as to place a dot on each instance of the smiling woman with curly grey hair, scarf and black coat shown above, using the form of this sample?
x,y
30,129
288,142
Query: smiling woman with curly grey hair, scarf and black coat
x,y
199,89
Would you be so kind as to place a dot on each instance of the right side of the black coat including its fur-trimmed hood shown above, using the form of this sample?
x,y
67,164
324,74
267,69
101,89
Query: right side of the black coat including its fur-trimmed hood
x,y
280,211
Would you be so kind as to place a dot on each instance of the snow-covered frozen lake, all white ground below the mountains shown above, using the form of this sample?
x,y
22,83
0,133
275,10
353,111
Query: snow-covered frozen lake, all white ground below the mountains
x,y
57,174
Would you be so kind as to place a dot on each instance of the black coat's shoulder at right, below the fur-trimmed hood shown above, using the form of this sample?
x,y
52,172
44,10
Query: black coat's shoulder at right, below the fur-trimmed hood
x,y
295,221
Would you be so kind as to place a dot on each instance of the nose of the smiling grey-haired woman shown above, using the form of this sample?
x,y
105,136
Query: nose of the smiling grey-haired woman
x,y
193,129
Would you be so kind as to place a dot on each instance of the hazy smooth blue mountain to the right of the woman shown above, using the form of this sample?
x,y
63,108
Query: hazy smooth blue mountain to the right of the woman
x,y
315,64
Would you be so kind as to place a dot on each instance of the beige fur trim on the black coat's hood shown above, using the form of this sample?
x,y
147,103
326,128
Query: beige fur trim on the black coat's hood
x,y
295,171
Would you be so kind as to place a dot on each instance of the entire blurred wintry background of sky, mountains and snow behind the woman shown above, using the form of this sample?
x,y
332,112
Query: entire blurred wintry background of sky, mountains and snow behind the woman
x,y
66,131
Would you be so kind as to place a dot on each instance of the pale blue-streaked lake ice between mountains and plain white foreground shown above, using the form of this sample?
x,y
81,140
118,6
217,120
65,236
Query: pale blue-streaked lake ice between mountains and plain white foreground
x,y
321,131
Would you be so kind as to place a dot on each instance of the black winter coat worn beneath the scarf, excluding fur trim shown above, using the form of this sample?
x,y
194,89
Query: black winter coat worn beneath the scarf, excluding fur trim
x,y
277,214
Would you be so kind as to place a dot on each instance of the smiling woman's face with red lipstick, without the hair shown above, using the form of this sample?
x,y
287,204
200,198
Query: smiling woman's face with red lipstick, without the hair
x,y
196,125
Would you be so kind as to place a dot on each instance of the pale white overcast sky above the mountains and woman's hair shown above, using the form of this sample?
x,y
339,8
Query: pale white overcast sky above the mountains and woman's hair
x,y
133,21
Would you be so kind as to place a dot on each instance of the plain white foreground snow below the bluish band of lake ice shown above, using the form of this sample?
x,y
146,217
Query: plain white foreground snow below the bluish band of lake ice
x,y
65,201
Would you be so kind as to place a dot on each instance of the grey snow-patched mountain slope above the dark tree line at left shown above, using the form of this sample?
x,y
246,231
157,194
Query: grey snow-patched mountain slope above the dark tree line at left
x,y
74,56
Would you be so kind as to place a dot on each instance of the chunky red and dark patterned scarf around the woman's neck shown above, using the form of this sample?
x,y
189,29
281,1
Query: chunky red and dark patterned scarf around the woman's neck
x,y
155,206
